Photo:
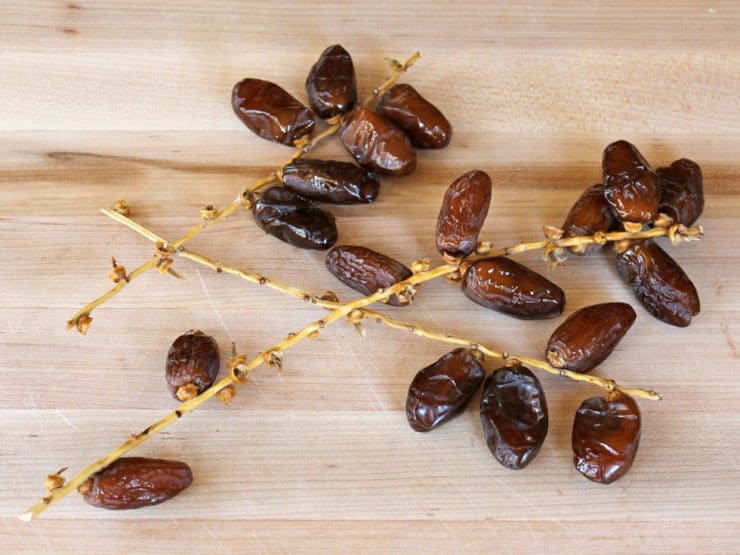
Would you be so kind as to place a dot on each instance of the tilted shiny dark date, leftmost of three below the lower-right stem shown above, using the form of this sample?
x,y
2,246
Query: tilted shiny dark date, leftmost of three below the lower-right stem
x,y
443,389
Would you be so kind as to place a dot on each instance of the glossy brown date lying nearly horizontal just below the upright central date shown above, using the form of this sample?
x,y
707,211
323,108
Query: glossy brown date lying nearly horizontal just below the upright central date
x,y
507,286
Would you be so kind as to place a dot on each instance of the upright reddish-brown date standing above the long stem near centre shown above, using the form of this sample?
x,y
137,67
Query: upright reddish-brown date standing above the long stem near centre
x,y
464,209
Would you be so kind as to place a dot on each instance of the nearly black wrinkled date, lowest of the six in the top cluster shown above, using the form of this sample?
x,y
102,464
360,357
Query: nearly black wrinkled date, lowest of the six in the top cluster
x,y
295,220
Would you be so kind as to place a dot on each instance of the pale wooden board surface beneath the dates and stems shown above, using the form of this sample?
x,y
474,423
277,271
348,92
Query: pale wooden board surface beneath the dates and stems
x,y
125,99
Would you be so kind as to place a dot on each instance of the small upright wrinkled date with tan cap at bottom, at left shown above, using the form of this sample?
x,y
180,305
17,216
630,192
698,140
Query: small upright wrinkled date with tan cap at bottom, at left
x,y
192,361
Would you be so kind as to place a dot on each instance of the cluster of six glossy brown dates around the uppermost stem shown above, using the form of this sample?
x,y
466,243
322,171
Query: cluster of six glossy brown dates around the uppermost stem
x,y
381,141
